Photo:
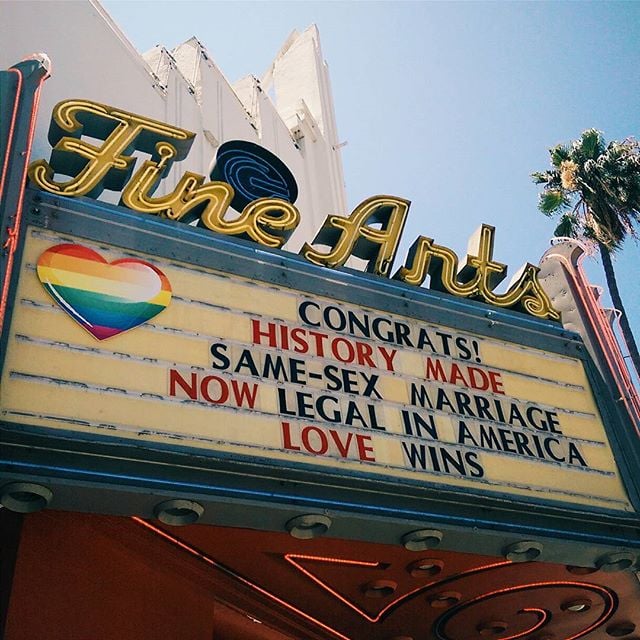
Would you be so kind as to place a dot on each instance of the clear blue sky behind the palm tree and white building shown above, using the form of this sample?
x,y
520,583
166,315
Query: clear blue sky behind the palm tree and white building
x,y
451,105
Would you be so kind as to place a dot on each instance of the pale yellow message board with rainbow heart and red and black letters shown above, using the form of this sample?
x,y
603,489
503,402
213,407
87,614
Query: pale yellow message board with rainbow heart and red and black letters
x,y
124,344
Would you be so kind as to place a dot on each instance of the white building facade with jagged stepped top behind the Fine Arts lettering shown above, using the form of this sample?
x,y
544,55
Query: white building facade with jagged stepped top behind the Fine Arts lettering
x,y
185,88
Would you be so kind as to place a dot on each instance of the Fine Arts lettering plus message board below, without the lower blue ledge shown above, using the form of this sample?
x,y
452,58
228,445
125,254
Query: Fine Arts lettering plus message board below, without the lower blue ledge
x,y
126,327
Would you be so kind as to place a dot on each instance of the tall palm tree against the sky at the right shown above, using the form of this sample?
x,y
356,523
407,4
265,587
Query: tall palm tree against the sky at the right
x,y
595,189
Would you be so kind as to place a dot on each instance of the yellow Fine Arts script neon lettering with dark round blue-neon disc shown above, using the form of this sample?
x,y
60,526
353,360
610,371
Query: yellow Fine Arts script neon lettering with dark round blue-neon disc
x,y
255,182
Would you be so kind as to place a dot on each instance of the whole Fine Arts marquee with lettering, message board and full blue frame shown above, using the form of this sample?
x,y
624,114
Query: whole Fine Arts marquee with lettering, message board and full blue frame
x,y
169,347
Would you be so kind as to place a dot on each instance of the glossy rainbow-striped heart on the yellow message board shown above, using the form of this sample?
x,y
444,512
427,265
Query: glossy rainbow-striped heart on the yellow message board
x,y
106,298
